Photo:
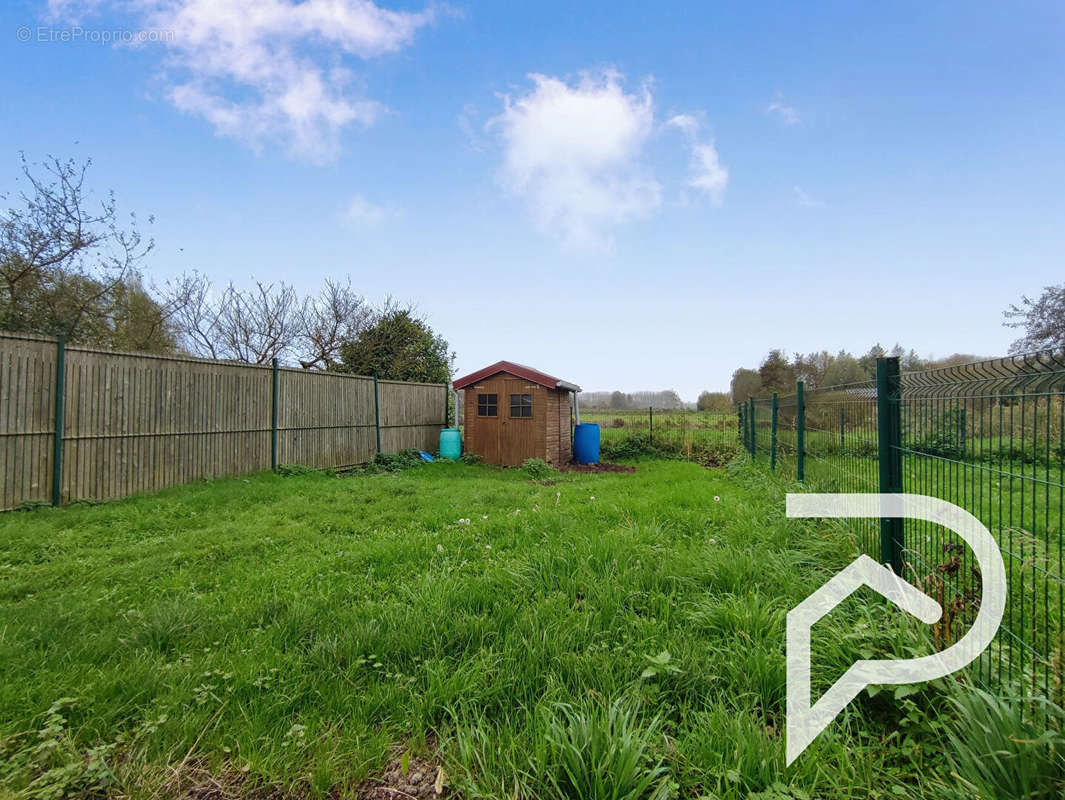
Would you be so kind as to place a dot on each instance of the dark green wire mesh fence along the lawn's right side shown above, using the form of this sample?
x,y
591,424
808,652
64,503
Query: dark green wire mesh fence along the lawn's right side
x,y
989,437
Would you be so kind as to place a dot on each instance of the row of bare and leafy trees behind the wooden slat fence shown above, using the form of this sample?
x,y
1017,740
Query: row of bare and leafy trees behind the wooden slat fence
x,y
74,267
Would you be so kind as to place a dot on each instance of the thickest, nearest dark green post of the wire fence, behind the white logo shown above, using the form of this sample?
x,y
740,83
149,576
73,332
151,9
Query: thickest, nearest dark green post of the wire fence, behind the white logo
x,y
890,455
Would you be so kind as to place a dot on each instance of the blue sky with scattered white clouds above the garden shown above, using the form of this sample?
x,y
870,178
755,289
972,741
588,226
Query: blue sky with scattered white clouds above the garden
x,y
628,195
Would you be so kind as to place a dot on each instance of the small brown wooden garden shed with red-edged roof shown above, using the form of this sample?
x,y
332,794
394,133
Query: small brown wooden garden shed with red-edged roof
x,y
515,413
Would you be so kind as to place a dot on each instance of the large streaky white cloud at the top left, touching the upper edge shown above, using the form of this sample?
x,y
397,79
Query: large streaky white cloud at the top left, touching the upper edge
x,y
269,71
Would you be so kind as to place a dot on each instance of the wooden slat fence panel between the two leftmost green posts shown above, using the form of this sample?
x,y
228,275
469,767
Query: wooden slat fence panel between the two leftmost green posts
x,y
141,423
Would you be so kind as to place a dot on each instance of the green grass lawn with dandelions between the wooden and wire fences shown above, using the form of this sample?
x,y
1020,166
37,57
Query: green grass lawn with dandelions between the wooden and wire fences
x,y
298,634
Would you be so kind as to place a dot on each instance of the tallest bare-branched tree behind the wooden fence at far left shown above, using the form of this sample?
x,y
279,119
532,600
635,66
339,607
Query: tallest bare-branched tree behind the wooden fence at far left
x,y
62,258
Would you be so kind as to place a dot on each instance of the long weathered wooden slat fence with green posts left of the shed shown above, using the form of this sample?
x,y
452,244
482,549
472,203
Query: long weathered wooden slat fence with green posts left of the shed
x,y
79,423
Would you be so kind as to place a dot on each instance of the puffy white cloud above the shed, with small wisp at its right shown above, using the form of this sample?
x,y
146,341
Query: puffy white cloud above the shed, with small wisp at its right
x,y
577,153
